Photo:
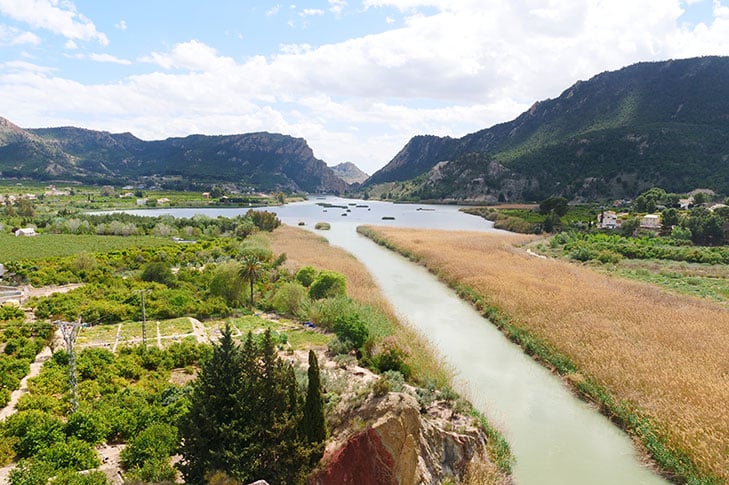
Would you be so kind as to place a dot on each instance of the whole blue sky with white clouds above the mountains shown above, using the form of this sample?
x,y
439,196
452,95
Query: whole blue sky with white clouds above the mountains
x,y
356,78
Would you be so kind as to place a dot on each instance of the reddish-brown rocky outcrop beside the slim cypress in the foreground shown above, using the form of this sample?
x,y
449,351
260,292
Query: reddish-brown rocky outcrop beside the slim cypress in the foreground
x,y
402,446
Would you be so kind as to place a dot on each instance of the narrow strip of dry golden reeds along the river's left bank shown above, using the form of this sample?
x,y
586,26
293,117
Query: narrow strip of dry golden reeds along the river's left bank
x,y
304,248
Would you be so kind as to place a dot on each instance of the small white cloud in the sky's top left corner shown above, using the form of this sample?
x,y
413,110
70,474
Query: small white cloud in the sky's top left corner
x,y
57,17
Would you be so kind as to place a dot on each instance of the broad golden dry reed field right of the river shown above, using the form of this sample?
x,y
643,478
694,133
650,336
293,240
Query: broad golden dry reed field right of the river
x,y
666,354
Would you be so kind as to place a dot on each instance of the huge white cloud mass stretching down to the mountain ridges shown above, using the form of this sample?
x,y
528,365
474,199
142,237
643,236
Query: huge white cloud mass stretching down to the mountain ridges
x,y
467,66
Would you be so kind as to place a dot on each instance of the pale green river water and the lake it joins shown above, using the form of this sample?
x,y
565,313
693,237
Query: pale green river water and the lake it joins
x,y
555,437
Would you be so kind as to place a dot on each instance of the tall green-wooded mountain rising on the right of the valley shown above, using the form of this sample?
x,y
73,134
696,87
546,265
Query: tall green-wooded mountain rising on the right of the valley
x,y
650,124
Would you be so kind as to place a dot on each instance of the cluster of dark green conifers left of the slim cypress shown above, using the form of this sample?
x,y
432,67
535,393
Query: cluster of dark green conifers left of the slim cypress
x,y
245,416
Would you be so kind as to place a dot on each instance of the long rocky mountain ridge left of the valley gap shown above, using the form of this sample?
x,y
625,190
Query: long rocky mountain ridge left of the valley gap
x,y
266,161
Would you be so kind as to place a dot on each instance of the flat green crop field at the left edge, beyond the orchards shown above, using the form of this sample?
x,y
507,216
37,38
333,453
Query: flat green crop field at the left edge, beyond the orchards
x,y
42,246
